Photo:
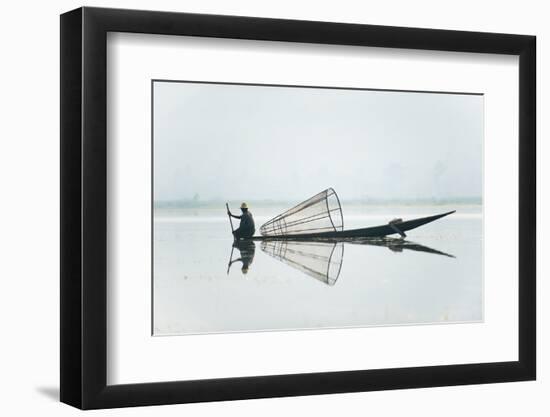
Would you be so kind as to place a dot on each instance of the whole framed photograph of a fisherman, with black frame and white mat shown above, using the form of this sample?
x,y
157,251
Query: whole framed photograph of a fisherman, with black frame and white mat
x,y
355,202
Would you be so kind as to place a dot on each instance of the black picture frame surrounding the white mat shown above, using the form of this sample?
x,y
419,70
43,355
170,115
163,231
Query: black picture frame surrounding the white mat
x,y
84,207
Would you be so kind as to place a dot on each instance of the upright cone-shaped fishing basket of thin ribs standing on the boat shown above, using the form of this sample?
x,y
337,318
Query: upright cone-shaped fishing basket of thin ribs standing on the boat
x,y
320,213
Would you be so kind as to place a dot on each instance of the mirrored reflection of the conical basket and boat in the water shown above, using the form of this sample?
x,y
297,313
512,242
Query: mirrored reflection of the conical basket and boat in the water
x,y
323,259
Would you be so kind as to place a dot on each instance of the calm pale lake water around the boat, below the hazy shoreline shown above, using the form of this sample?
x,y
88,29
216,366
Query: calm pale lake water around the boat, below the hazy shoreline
x,y
434,277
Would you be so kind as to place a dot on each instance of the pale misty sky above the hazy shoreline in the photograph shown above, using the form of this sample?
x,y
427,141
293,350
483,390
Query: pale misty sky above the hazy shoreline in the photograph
x,y
235,142
